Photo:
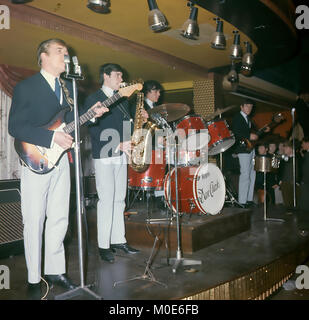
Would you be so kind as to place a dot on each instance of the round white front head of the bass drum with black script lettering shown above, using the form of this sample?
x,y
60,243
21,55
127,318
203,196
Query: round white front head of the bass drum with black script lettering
x,y
209,189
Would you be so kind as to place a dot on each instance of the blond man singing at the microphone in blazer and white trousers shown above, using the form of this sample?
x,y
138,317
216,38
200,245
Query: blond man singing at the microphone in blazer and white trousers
x,y
35,102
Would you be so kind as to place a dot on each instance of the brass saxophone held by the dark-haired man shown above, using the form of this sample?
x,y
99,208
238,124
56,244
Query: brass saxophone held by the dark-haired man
x,y
141,138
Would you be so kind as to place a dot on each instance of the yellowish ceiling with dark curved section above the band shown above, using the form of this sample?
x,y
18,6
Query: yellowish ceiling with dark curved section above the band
x,y
123,36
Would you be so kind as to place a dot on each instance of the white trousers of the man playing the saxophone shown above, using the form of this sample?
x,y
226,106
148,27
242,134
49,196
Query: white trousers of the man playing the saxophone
x,y
111,183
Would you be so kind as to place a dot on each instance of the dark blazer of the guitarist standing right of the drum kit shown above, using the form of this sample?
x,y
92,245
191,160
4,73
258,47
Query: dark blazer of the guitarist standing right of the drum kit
x,y
241,130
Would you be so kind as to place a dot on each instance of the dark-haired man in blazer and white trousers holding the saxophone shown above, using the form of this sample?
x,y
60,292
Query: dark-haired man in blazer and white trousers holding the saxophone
x,y
111,143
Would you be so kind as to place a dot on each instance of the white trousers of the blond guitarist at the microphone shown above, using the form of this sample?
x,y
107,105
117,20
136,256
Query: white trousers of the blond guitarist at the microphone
x,y
45,196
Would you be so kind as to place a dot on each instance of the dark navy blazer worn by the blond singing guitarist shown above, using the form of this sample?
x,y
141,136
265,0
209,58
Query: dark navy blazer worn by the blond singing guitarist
x,y
34,104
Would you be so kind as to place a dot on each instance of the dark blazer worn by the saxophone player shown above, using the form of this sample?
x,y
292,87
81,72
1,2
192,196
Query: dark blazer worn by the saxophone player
x,y
108,131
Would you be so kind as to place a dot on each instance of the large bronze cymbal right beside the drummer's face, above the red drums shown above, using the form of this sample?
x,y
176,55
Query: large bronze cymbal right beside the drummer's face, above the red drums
x,y
171,111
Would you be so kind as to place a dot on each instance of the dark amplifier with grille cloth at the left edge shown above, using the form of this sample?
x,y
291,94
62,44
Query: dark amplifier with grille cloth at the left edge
x,y
11,226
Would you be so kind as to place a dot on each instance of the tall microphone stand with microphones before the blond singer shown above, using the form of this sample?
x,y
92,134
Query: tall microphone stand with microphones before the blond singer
x,y
82,289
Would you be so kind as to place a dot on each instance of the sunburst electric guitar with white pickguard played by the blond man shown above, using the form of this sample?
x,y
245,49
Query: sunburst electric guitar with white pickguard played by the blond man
x,y
43,160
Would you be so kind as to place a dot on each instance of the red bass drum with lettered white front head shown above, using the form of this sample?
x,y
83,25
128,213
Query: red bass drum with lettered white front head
x,y
200,189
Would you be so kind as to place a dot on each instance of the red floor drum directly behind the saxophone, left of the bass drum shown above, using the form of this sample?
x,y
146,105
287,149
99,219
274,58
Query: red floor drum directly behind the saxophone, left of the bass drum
x,y
153,177
